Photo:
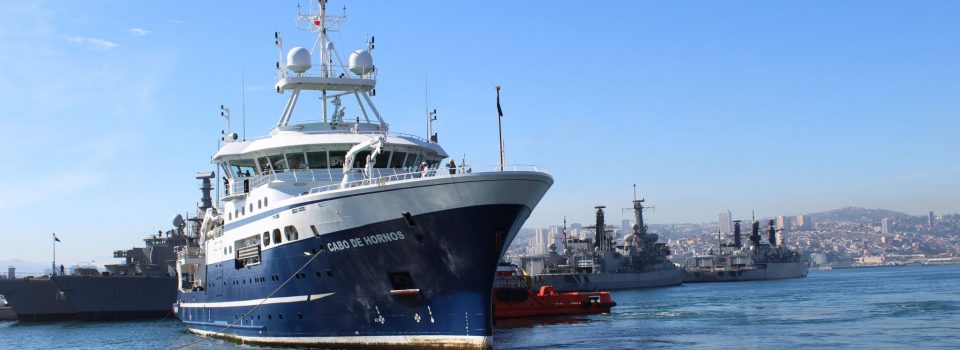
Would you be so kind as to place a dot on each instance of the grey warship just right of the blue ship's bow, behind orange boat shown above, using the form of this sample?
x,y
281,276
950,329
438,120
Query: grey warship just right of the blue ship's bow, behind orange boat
x,y
602,264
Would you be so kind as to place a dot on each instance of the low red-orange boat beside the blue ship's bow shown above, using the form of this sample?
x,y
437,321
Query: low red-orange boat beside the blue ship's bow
x,y
515,299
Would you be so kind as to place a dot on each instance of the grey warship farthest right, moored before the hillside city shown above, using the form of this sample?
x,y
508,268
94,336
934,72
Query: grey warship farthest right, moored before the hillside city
x,y
736,262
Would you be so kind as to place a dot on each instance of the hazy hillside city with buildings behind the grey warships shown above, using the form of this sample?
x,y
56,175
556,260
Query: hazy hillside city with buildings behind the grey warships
x,y
847,237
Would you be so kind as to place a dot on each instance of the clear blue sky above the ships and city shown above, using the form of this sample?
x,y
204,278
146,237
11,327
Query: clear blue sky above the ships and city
x,y
108,109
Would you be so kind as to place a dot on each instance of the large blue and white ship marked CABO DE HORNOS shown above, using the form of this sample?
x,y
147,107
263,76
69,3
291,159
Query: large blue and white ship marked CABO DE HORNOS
x,y
339,233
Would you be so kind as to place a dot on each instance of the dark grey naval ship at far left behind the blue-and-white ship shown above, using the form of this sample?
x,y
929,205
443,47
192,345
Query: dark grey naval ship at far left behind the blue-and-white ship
x,y
143,286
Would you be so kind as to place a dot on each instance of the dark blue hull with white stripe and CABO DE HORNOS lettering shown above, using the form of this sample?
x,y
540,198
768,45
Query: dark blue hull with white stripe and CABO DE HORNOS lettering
x,y
427,278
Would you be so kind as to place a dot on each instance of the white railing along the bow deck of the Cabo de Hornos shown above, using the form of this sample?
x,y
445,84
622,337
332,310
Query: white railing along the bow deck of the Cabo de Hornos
x,y
427,173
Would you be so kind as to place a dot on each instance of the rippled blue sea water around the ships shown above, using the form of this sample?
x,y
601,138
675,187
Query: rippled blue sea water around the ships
x,y
876,308
